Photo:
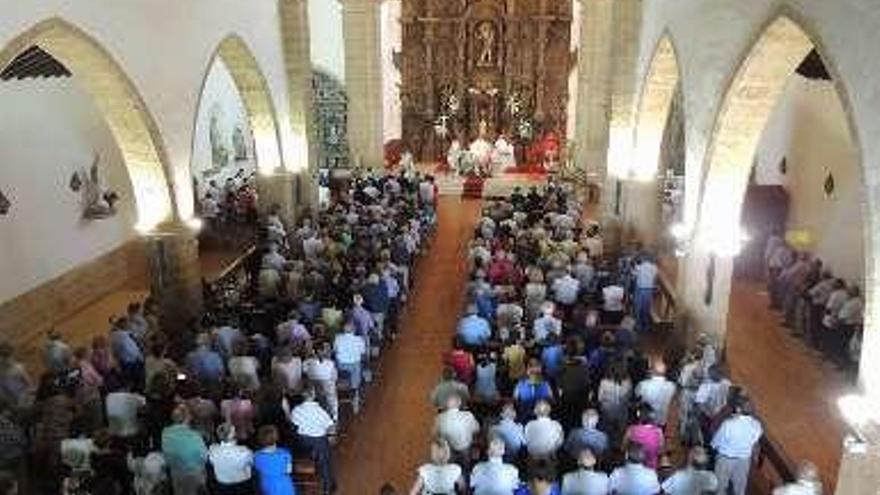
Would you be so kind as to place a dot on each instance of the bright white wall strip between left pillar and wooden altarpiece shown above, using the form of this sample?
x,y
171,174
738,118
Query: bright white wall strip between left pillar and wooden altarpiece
x,y
392,39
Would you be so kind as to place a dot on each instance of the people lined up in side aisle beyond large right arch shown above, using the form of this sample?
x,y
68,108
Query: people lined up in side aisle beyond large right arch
x,y
825,310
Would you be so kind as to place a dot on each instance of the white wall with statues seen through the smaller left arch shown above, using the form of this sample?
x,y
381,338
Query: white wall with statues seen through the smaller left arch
x,y
221,96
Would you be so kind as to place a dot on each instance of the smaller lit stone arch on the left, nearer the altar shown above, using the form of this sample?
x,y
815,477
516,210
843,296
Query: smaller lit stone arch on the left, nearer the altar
x,y
257,100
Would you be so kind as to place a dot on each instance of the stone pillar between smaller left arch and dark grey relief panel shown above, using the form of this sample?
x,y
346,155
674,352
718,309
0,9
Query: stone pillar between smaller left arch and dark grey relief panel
x,y
295,39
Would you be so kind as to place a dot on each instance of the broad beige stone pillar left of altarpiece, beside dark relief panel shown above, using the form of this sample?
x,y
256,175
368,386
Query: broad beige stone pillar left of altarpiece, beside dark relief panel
x,y
363,80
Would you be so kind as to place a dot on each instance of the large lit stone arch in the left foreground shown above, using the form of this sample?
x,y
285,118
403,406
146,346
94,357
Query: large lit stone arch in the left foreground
x,y
132,126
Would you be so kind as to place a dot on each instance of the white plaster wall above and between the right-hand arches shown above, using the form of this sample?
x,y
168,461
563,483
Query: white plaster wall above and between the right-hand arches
x,y
712,38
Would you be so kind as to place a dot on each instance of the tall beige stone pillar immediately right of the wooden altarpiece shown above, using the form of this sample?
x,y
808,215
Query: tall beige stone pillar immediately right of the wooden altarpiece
x,y
594,89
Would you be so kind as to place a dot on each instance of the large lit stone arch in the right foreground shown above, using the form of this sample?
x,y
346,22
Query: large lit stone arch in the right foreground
x,y
748,101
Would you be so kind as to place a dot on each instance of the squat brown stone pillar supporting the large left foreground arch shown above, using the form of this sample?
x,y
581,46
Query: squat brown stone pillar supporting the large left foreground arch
x,y
175,275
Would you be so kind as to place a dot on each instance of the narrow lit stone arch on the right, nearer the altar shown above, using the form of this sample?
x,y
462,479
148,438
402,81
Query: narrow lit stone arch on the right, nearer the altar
x,y
658,91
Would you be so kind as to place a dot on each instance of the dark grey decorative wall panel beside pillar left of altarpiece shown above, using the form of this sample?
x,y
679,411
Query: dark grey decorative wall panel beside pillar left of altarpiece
x,y
331,120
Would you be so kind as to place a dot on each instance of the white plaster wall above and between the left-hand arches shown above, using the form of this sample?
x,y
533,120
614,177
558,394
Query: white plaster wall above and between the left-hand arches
x,y
165,47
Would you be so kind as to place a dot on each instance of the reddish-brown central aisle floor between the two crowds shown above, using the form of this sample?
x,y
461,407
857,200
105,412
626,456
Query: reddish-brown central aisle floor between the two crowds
x,y
389,439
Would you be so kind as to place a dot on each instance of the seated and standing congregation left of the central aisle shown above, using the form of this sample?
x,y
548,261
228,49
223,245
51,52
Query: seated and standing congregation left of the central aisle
x,y
230,403
